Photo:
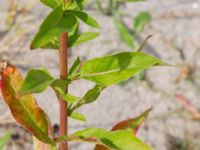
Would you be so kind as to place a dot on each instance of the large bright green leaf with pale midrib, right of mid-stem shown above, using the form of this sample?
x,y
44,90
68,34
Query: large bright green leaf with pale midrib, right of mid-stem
x,y
112,69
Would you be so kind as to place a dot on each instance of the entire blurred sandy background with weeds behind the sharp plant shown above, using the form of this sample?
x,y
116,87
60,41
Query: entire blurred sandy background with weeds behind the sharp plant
x,y
173,92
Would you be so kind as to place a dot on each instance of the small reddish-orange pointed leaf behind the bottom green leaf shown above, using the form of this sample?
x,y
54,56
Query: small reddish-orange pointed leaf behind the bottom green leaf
x,y
128,124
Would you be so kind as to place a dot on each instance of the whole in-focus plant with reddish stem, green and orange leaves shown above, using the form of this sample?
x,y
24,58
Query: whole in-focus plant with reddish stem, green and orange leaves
x,y
60,30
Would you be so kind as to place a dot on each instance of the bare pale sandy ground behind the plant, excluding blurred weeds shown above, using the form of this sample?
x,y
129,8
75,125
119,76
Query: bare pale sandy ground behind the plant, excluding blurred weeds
x,y
173,22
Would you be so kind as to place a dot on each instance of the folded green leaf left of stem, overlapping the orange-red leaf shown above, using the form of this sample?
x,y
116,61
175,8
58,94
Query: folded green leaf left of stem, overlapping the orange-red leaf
x,y
36,81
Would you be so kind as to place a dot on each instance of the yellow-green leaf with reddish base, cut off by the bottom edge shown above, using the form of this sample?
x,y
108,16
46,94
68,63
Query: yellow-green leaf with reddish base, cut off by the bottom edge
x,y
114,140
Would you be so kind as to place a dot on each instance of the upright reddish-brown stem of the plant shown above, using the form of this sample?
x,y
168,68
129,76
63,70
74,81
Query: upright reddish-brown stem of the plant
x,y
63,55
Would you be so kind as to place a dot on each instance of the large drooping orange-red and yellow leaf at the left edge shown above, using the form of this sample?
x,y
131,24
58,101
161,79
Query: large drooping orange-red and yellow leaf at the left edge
x,y
24,109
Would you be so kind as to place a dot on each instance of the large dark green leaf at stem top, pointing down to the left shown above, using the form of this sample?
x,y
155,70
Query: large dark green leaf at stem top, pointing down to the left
x,y
56,23
